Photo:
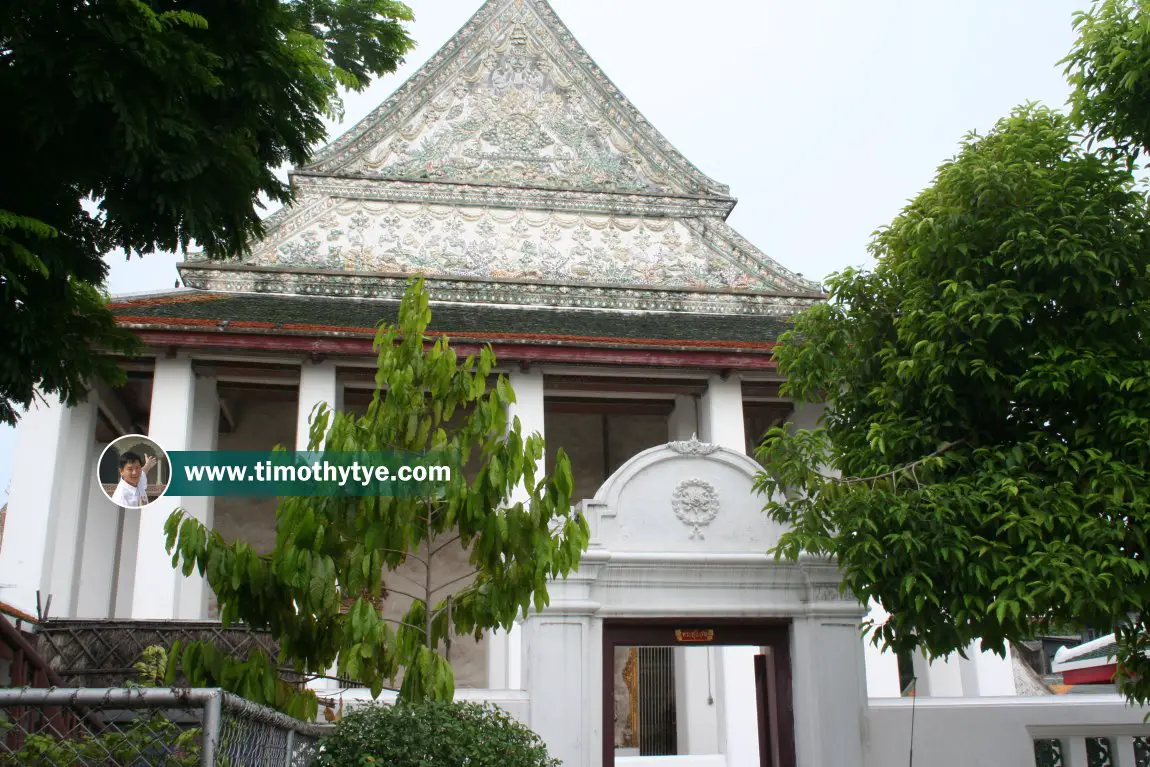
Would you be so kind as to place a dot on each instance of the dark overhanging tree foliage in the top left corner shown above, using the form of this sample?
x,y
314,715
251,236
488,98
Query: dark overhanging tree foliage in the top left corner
x,y
145,126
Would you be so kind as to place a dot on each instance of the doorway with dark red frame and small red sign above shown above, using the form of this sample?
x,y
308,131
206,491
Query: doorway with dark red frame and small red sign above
x,y
660,697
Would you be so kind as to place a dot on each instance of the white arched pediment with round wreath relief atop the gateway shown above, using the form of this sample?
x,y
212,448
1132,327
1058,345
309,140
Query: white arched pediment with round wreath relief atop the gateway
x,y
683,497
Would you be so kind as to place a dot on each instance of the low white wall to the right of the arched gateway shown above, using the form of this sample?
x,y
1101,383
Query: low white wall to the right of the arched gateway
x,y
990,732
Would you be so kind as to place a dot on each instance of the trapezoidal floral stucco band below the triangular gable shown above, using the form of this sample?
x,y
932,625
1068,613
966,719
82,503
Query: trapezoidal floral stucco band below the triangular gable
x,y
488,243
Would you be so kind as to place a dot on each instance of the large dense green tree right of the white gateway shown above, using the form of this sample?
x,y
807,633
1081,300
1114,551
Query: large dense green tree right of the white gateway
x,y
987,395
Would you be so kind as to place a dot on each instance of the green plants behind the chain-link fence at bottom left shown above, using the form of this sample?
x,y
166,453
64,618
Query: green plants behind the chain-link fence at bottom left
x,y
158,740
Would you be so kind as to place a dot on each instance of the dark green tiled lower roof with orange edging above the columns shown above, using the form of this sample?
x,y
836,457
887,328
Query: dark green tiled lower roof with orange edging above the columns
x,y
327,317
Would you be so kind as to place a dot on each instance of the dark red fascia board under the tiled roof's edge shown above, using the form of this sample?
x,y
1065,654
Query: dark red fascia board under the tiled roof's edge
x,y
750,361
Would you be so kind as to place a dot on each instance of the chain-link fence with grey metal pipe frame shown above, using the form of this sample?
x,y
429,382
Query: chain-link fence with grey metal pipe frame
x,y
149,727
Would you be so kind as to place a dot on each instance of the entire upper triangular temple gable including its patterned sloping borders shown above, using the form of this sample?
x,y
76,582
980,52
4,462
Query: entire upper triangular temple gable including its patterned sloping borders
x,y
516,50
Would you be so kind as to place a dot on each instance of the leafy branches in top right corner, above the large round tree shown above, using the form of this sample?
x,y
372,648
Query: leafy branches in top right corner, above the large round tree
x,y
1110,73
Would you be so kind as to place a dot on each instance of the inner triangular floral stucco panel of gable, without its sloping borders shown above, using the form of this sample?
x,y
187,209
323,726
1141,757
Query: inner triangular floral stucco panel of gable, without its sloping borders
x,y
515,119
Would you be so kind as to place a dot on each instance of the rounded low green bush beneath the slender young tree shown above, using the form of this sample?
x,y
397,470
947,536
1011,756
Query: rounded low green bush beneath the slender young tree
x,y
433,733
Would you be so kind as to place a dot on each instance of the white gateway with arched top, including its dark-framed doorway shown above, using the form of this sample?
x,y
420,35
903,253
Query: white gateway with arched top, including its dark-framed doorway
x,y
660,651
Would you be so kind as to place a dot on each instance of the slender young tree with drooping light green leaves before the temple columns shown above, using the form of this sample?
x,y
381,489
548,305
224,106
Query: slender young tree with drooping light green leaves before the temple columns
x,y
339,550
